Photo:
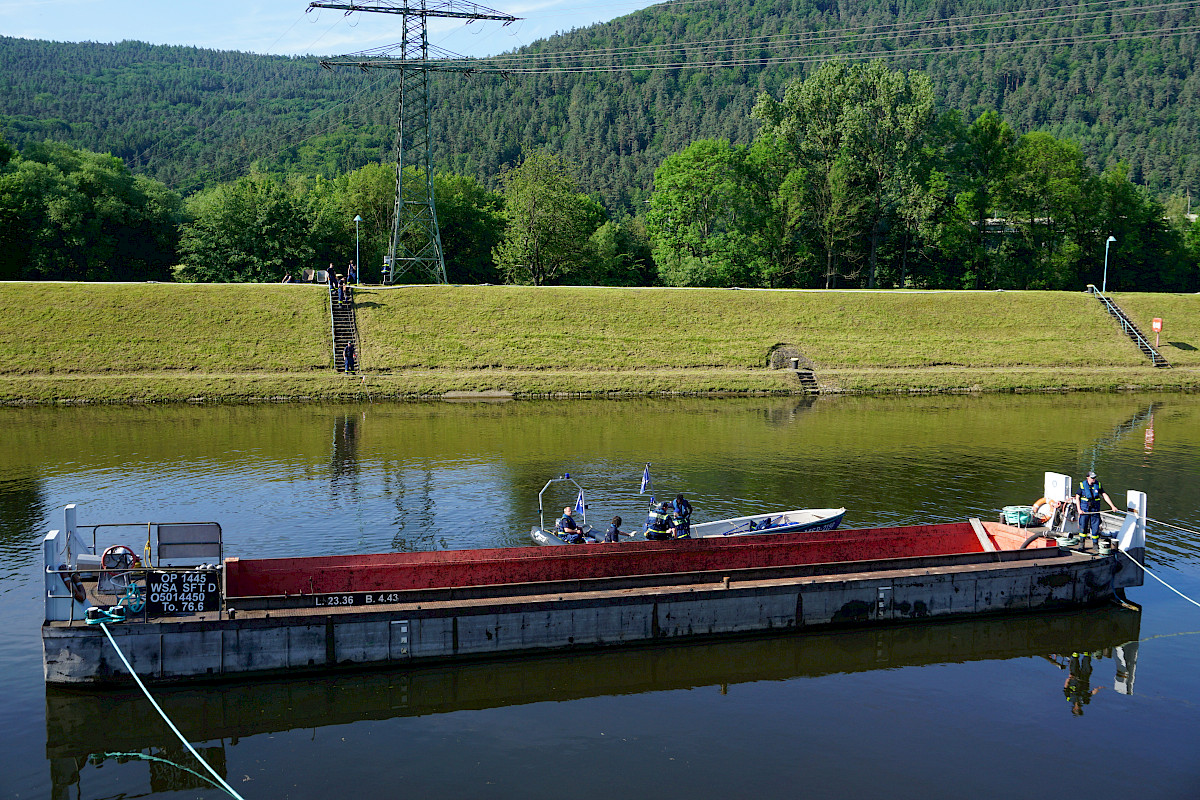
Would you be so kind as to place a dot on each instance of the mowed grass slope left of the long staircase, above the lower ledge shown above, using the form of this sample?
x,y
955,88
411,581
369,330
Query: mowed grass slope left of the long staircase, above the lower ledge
x,y
130,328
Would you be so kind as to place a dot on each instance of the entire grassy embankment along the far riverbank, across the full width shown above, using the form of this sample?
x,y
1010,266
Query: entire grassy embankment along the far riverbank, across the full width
x,y
173,342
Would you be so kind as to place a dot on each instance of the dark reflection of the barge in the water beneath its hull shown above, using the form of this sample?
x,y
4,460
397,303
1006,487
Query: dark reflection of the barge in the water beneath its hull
x,y
80,726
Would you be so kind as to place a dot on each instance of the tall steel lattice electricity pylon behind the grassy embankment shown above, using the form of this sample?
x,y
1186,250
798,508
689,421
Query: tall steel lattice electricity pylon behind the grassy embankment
x,y
416,242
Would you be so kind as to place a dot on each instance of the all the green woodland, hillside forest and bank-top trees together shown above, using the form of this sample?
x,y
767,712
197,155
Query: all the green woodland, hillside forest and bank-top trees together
x,y
835,148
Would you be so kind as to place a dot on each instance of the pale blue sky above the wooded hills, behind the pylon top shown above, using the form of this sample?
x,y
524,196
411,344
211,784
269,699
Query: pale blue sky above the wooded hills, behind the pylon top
x,y
281,27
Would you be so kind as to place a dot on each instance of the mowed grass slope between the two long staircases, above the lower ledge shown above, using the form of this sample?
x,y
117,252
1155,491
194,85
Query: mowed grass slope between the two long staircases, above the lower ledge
x,y
529,328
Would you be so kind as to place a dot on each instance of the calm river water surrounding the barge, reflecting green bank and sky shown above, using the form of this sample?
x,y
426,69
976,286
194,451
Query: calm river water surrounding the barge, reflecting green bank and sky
x,y
928,711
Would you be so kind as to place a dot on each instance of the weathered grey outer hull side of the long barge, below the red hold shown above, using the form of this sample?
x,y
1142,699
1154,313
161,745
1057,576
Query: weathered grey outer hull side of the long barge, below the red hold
x,y
305,640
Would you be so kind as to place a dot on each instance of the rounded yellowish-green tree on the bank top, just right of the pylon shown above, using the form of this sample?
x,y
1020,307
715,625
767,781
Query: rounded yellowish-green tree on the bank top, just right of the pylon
x,y
549,222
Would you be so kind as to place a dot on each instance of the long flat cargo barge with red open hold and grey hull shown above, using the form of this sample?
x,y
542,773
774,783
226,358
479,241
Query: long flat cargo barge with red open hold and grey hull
x,y
286,616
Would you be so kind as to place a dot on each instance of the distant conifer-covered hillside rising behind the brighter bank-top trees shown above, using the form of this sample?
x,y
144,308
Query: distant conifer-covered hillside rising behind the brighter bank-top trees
x,y
1119,79
